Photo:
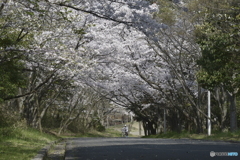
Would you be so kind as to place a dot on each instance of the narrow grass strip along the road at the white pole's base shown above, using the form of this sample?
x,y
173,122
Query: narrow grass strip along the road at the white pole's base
x,y
224,136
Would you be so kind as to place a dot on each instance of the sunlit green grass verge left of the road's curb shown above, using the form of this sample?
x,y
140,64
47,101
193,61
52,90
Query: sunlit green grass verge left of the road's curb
x,y
22,144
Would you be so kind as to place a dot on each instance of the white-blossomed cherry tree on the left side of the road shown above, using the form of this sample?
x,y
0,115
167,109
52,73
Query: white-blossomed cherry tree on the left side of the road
x,y
55,53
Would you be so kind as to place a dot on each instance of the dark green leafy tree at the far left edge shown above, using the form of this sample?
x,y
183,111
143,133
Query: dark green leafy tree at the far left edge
x,y
12,40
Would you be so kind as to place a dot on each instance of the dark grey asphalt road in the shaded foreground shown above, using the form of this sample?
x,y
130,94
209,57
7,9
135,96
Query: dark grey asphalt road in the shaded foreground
x,y
148,149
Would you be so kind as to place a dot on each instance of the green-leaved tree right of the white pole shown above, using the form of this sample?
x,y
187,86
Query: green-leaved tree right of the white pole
x,y
219,40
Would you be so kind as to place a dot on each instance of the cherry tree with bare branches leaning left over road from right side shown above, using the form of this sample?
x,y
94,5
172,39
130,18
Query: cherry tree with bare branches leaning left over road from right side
x,y
165,63
